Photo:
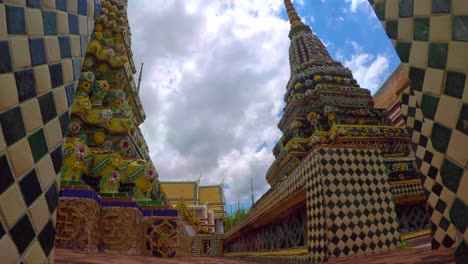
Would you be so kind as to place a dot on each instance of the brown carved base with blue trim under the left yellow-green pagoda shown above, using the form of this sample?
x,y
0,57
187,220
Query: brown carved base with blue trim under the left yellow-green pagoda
x,y
86,221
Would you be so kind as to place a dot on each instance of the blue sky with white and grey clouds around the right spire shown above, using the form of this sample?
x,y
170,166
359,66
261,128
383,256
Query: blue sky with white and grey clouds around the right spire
x,y
215,75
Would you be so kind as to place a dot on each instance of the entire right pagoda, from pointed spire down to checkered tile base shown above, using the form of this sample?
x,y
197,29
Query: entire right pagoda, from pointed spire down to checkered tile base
x,y
340,164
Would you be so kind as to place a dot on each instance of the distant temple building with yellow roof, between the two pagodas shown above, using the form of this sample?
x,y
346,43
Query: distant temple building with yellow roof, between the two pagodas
x,y
205,202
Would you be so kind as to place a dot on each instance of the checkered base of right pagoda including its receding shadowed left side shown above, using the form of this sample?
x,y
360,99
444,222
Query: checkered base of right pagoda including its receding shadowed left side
x,y
348,204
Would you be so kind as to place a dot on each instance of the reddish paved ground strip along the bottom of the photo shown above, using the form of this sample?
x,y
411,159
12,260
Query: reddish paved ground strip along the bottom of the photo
x,y
400,256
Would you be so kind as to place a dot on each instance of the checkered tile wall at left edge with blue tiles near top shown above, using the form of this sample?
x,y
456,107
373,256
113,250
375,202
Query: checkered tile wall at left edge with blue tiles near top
x,y
42,44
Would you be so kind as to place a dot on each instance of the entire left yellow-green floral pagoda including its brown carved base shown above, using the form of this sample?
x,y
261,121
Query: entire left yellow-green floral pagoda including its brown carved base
x,y
110,196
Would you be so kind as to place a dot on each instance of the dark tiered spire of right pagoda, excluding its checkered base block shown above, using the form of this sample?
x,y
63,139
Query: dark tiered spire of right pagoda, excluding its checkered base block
x,y
326,105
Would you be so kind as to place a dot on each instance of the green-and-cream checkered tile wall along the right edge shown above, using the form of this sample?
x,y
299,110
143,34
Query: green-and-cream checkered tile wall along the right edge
x,y
431,39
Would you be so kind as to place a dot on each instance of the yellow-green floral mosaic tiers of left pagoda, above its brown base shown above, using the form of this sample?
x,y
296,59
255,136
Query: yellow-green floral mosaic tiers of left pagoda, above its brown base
x,y
104,144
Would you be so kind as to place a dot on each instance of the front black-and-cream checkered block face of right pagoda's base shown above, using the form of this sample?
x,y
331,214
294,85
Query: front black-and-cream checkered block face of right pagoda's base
x,y
350,208
